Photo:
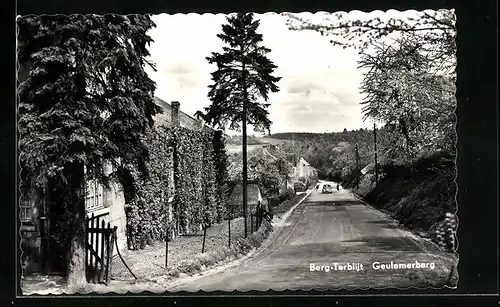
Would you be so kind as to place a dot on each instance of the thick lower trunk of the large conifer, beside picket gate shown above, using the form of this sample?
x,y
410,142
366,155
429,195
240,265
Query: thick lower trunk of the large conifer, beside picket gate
x,y
76,268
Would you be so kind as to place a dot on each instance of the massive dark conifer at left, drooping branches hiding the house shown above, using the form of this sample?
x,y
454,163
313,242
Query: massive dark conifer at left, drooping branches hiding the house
x,y
84,98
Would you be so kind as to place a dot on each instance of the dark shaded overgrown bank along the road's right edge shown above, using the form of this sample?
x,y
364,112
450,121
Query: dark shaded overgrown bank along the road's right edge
x,y
418,194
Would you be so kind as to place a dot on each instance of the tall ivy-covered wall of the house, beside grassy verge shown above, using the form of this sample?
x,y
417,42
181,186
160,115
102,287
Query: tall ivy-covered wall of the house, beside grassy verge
x,y
185,186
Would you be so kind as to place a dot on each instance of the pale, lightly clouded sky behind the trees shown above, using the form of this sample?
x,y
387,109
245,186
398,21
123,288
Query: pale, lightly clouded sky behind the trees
x,y
319,89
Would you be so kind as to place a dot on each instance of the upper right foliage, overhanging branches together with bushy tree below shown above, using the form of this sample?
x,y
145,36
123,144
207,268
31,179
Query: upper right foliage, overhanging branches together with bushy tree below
x,y
409,79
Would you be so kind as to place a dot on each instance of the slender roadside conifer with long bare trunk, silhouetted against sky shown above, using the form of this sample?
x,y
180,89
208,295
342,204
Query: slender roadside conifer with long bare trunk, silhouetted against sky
x,y
244,73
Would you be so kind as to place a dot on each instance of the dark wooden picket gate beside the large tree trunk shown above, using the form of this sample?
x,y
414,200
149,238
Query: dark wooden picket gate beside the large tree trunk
x,y
99,249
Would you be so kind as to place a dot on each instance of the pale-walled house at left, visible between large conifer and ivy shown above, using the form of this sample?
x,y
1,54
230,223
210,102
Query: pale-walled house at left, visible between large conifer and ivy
x,y
107,204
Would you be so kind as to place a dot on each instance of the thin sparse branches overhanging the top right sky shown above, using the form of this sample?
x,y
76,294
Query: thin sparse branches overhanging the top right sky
x,y
435,30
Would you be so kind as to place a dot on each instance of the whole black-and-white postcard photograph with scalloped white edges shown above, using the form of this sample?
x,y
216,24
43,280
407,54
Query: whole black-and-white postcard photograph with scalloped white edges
x,y
244,151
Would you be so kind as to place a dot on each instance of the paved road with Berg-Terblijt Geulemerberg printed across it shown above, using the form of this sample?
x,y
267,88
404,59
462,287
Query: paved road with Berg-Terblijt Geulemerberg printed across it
x,y
327,229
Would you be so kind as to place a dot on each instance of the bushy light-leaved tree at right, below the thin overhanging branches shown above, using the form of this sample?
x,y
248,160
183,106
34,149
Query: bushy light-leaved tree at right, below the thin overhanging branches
x,y
402,92
